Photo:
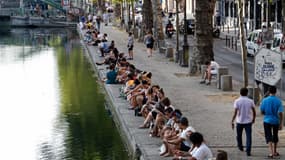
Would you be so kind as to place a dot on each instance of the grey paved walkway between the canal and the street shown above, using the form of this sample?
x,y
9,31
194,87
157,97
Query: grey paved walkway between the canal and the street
x,y
209,110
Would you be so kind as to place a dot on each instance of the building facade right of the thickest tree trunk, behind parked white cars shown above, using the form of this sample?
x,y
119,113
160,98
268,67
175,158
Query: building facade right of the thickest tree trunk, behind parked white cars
x,y
256,13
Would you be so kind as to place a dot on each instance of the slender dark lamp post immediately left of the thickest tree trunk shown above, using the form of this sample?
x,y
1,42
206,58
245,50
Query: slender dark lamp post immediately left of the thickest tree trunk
x,y
184,61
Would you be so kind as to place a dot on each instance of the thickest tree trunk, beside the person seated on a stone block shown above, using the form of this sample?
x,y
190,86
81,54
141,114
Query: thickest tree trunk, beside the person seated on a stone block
x,y
203,41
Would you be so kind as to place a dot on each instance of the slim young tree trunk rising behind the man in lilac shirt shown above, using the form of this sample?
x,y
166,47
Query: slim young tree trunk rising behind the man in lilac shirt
x,y
242,44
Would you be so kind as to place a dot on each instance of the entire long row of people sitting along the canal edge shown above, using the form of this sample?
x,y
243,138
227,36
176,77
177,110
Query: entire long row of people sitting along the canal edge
x,y
178,138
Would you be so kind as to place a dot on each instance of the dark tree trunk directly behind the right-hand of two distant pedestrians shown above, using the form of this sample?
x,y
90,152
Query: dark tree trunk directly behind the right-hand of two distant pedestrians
x,y
147,18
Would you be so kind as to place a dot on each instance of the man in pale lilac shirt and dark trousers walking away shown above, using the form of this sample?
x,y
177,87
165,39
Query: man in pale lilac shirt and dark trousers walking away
x,y
244,114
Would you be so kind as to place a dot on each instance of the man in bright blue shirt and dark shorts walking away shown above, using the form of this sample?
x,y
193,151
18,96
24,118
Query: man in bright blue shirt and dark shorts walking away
x,y
272,109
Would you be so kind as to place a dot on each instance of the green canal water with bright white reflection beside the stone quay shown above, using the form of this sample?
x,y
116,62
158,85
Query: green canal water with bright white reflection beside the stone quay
x,y
51,106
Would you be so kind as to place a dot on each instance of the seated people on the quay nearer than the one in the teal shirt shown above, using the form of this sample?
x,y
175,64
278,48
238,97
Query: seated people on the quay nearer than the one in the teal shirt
x,y
178,137
